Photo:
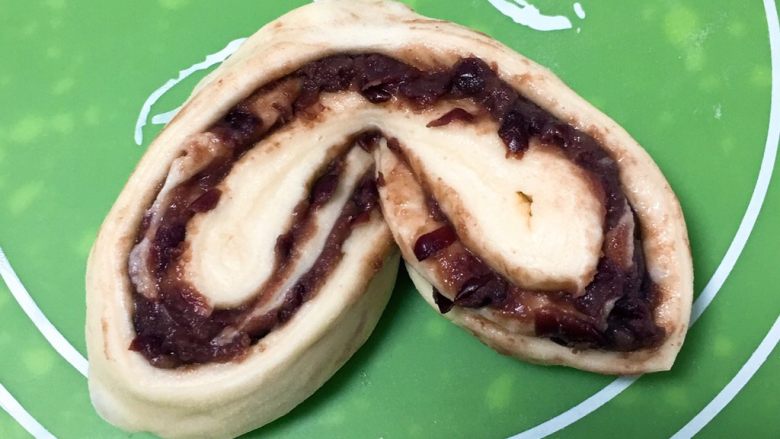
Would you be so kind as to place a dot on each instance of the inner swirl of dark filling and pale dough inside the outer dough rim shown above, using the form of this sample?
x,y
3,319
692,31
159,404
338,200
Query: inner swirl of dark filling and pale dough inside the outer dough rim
x,y
318,187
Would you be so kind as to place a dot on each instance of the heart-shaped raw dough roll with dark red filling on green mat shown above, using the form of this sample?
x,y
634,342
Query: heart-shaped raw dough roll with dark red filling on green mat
x,y
254,248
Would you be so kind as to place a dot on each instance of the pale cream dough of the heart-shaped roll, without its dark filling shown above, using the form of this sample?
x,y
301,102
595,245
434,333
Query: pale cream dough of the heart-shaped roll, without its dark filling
x,y
224,399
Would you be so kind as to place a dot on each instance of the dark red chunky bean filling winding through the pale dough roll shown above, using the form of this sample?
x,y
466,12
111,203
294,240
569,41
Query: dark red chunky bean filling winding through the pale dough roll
x,y
177,327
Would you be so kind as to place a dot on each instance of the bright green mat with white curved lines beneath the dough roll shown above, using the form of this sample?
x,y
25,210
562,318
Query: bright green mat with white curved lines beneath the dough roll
x,y
690,80
